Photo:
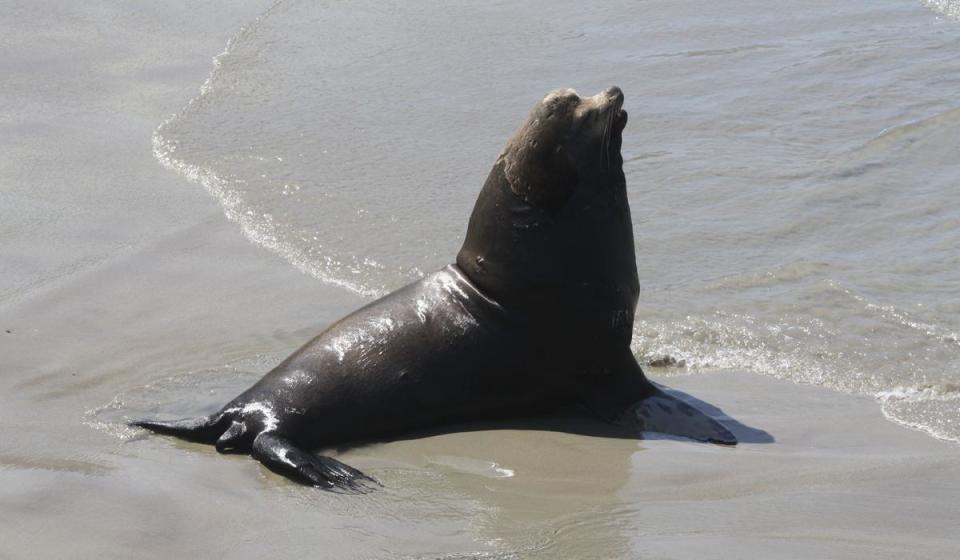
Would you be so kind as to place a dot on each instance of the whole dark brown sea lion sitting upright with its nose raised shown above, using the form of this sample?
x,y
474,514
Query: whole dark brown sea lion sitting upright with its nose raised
x,y
537,311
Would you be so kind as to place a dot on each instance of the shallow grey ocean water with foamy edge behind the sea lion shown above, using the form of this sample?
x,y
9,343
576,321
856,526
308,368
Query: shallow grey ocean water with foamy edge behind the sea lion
x,y
792,168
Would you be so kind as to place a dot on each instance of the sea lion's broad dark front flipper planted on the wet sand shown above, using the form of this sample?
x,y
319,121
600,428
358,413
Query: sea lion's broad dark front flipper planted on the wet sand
x,y
626,397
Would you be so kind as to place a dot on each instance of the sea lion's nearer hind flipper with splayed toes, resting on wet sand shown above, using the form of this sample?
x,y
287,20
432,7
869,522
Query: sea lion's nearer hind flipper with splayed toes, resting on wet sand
x,y
281,456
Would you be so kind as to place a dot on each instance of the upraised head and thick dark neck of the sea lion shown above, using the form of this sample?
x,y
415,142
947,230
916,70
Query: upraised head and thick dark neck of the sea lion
x,y
552,222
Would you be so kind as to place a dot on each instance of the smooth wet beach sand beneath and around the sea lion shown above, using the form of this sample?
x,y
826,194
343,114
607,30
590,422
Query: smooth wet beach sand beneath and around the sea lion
x,y
120,275
